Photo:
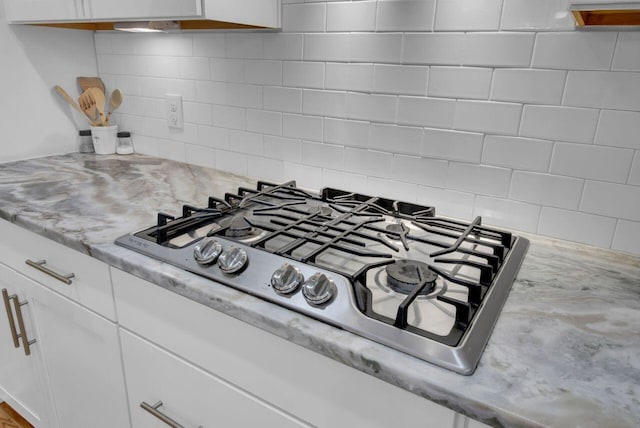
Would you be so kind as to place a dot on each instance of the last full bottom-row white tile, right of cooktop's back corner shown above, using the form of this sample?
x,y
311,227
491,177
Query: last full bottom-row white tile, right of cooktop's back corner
x,y
576,226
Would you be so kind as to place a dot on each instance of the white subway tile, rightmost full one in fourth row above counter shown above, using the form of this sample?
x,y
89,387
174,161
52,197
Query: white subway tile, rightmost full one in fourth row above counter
x,y
559,123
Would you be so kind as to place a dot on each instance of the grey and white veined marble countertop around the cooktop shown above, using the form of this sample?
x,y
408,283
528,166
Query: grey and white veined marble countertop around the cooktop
x,y
565,351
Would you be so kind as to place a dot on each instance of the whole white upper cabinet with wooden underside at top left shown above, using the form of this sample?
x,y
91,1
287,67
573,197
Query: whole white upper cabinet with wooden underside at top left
x,y
196,14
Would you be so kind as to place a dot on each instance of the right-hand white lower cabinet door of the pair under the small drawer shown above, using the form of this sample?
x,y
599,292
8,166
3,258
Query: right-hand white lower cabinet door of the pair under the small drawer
x,y
82,354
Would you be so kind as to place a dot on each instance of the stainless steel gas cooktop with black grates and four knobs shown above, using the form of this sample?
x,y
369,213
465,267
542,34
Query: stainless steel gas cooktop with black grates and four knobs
x,y
388,270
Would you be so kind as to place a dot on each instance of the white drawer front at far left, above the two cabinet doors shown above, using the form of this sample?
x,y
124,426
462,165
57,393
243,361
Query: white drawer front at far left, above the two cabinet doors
x,y
90,285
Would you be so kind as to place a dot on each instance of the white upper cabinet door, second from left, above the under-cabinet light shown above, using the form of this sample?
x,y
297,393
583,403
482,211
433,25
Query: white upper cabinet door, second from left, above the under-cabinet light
x,y
144,9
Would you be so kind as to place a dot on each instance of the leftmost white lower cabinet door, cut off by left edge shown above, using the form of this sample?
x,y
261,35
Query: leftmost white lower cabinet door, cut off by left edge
x,y
22,377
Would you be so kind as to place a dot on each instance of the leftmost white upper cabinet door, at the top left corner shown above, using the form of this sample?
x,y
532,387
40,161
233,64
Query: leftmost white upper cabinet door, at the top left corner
x,y
43,10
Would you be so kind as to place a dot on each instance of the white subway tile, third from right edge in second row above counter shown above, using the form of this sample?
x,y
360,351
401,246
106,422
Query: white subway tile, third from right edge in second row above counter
x,y
479,179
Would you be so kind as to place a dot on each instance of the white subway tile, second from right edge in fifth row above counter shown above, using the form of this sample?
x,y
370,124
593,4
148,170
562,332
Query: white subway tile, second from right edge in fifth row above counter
x,y
528,86
